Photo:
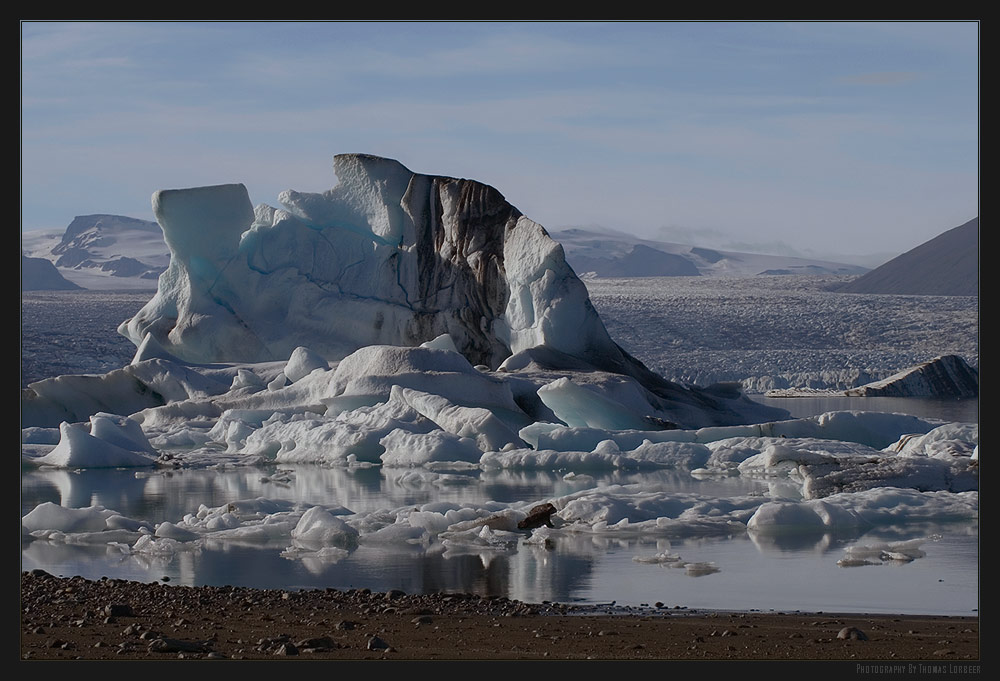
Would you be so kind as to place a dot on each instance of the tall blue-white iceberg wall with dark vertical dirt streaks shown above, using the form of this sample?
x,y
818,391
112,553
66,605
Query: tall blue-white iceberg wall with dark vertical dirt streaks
x,y
387,256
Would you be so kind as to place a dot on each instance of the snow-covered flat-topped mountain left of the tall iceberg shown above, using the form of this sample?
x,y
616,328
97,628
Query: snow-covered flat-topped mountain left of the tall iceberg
x,y
104,251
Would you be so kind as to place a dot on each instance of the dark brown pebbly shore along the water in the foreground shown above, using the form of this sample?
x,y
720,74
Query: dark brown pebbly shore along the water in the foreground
x,y
110,619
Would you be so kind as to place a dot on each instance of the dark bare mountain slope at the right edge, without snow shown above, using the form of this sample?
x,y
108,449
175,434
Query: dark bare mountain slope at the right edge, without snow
x,y
947,265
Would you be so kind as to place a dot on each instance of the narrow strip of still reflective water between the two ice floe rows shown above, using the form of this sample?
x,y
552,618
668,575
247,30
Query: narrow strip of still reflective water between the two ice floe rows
x,y
157,496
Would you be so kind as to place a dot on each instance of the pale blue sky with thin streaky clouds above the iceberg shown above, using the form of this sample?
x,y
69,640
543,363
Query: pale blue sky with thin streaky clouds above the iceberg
x,y
815,138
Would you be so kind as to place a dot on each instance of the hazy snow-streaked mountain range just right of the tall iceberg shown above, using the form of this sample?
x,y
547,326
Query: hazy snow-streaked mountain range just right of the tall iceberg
x,y
616,254
